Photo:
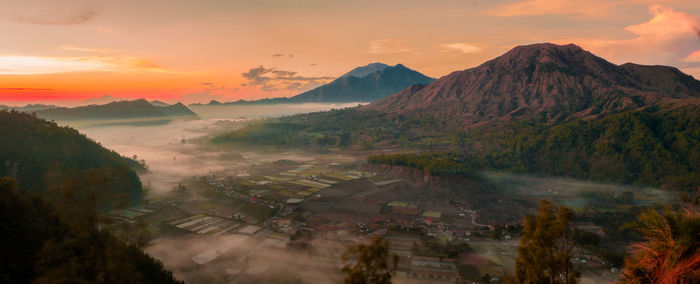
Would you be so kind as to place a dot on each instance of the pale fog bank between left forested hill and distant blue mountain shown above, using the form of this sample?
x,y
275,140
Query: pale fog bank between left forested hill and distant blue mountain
x,y
180,150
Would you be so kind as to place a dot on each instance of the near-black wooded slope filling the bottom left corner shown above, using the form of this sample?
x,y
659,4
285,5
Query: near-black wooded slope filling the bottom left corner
x,y
45,242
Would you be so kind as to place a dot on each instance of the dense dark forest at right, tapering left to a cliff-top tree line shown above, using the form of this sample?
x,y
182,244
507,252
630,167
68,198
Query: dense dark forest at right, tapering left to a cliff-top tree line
x,y
655,147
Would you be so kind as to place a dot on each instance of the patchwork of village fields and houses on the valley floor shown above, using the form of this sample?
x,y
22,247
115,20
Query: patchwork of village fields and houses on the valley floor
x,y
298,207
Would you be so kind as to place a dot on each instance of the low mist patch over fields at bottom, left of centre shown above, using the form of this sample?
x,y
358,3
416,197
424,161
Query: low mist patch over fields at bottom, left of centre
x,y
265,261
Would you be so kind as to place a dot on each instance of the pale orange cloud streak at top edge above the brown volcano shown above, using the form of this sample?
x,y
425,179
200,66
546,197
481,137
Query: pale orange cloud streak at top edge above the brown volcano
x,y
588,9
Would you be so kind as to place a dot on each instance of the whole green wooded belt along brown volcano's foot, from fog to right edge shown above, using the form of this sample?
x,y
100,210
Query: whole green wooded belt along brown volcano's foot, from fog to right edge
x,y
656,146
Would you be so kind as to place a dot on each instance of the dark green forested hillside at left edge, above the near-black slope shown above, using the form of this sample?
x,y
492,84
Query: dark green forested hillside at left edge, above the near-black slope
x,y
42,156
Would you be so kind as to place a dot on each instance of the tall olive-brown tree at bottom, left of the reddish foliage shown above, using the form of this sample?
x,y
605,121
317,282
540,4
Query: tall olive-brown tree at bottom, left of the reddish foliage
x,y
546,248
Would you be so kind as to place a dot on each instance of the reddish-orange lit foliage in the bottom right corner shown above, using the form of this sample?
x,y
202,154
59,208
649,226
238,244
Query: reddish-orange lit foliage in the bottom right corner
x,y
669,252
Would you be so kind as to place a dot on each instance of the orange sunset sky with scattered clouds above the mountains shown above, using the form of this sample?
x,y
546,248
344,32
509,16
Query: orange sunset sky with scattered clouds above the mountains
x,y
70,52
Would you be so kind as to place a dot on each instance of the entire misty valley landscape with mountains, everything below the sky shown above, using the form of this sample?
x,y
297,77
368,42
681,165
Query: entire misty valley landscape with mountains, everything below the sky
x,y
547,164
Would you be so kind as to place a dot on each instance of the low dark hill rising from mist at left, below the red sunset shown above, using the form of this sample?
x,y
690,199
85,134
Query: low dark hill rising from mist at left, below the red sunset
x,y
123,110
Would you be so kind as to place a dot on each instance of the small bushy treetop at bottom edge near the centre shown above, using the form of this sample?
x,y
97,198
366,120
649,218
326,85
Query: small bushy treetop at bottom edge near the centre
x,y
371,263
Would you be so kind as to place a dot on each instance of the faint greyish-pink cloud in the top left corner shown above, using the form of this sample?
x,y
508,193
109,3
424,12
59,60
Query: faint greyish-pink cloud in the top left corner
x,y
53,13
